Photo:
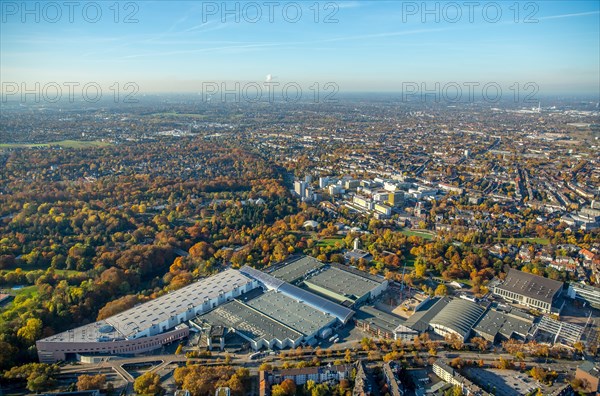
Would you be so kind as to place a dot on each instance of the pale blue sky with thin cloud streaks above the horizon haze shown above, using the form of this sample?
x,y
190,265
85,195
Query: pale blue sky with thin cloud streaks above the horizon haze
x,y
374,45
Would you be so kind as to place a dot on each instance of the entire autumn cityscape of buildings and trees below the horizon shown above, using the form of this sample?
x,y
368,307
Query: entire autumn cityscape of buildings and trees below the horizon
x,y
364,246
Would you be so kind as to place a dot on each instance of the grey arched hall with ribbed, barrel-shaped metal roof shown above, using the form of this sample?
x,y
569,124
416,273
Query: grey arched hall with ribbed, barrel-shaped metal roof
x,y
459,315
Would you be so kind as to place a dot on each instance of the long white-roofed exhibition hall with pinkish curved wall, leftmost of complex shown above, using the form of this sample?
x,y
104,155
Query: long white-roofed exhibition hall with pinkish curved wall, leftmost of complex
x,y
147,326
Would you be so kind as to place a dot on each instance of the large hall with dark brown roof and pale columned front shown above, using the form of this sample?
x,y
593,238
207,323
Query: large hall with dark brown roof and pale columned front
x,y
530,290
